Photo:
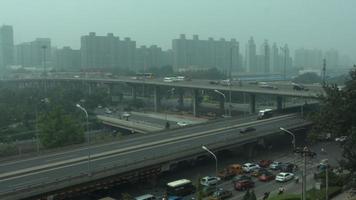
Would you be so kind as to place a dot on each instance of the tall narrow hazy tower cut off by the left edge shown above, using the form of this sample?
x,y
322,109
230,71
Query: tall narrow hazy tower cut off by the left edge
x,y
6,46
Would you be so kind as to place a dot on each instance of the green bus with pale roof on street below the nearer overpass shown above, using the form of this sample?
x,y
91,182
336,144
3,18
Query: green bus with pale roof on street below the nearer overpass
x,y
182,187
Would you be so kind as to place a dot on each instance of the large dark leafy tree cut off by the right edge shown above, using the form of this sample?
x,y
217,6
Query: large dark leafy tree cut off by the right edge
x,y
338,117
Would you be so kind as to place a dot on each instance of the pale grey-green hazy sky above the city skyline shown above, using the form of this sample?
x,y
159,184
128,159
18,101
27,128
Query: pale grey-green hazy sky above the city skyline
x,y
300,23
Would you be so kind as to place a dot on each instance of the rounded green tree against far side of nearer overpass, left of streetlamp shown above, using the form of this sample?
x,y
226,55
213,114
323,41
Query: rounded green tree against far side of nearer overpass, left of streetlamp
x,y
57,128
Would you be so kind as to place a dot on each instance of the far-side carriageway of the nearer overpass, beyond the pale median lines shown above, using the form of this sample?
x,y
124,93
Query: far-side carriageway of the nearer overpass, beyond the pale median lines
x,y
23,164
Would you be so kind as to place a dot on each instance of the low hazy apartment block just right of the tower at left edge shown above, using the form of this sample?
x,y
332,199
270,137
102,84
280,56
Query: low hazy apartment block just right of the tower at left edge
x,y
34,54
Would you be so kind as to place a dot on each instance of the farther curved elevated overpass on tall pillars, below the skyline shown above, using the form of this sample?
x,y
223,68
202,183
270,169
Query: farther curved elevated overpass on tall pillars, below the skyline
x,y
156,86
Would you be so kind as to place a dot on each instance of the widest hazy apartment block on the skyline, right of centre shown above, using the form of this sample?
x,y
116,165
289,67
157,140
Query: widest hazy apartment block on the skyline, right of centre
x,y
196,53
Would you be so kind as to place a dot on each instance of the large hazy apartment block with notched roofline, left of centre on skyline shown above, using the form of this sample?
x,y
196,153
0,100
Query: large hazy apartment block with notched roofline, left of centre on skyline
x,y
107,52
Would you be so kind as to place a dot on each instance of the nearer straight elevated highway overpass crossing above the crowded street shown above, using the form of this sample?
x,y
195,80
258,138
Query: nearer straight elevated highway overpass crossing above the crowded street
x,y
55,174
